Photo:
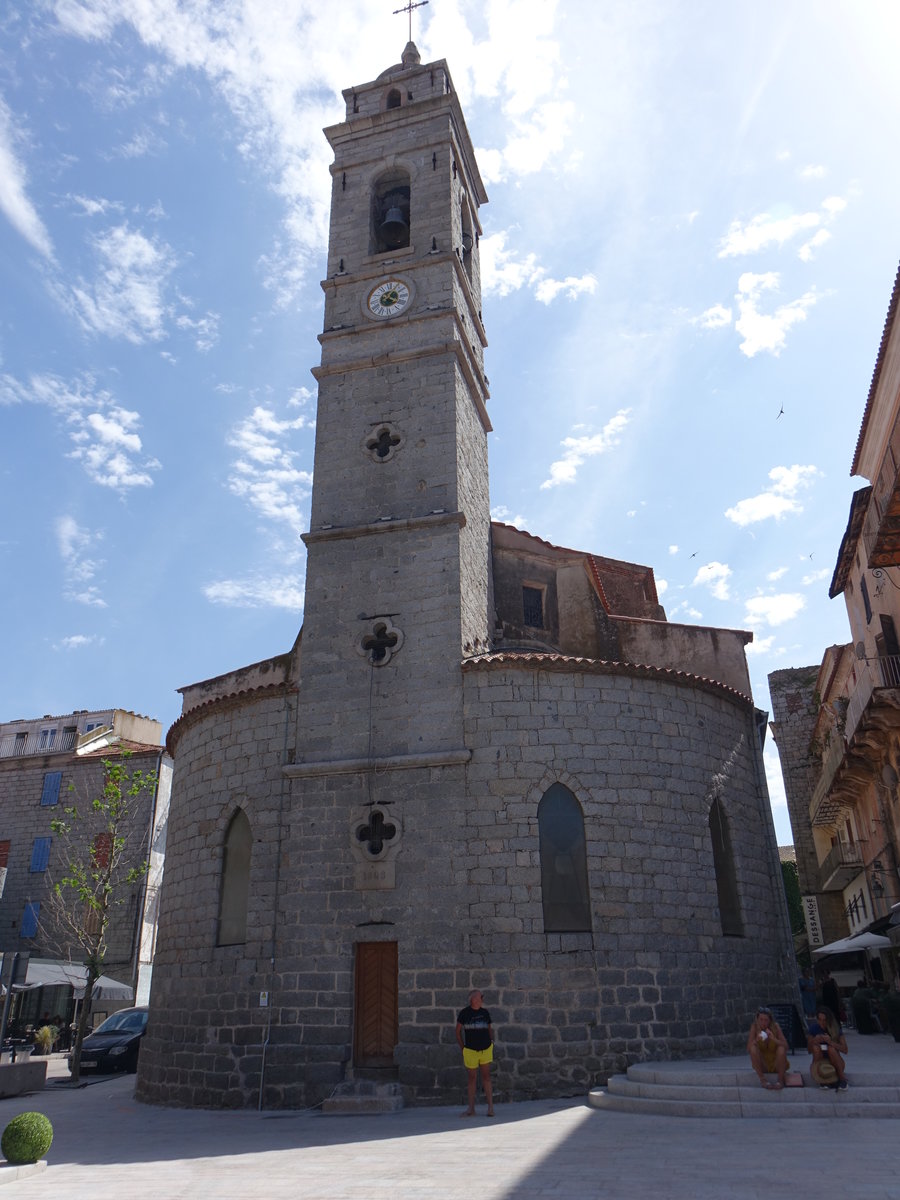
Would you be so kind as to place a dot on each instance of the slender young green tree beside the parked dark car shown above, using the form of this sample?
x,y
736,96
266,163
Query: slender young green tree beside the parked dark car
x,y
101,865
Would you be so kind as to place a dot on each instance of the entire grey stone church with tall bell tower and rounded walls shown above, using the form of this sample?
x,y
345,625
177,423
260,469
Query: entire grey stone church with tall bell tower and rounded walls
x,y
487,763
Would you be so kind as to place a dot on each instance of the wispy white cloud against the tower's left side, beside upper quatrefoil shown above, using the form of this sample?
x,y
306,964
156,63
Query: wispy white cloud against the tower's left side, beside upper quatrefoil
x,y
266,473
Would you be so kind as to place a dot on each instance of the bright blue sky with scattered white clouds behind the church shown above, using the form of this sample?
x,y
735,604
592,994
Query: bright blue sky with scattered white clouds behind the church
x,y
689,253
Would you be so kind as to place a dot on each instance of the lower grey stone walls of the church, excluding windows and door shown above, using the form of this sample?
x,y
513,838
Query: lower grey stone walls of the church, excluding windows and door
x,y
656,977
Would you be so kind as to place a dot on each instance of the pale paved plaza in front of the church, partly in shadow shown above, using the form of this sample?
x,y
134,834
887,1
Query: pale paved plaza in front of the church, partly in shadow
x,y
106,1145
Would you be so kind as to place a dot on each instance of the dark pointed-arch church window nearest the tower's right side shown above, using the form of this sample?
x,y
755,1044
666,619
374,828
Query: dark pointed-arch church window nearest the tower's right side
x,y
565,866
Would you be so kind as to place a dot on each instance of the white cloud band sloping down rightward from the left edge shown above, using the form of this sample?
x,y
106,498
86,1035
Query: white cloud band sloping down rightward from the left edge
x,y
105,436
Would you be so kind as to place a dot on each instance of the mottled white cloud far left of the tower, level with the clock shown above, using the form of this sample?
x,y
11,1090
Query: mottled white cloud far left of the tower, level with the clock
x,y
127,298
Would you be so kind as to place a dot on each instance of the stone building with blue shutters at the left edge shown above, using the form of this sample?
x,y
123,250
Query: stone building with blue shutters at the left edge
x,y
45,766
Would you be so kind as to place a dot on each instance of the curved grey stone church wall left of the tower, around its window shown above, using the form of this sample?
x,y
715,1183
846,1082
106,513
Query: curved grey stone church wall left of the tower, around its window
x,y
203,1046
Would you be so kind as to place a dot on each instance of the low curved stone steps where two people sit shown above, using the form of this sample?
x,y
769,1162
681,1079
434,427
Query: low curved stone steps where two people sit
x,y
680,1090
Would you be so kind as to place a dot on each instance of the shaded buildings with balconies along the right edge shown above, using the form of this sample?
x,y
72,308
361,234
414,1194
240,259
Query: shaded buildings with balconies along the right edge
x,y
838,725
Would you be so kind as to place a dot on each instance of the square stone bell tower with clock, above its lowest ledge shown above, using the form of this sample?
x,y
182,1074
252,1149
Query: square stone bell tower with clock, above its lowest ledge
x,y
398,585
